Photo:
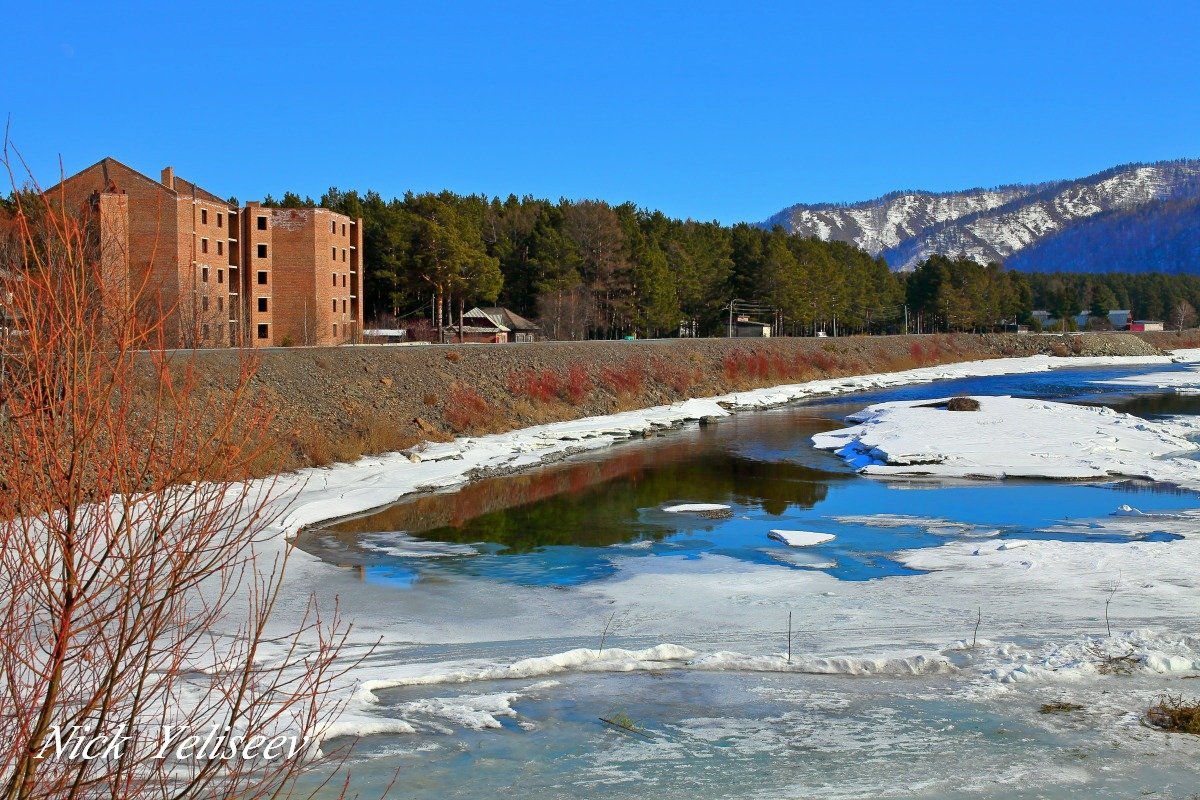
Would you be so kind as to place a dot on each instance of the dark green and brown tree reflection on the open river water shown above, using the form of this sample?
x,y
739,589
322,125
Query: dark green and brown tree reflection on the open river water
x,y
596,504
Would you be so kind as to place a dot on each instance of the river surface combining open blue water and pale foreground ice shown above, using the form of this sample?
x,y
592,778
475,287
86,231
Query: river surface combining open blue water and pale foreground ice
x,y
926,635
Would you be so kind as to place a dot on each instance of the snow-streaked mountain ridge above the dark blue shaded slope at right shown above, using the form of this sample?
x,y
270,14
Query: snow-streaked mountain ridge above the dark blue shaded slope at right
x,y
987,225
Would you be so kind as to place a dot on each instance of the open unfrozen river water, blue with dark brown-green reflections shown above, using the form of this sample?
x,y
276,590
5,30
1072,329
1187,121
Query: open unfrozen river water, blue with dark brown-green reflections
x,y
579,521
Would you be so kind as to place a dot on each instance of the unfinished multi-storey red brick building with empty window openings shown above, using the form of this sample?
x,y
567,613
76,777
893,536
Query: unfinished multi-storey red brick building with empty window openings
x,y
249,276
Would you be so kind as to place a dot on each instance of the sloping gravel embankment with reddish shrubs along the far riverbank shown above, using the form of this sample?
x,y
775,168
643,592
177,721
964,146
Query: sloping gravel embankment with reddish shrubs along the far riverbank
x,y
339,404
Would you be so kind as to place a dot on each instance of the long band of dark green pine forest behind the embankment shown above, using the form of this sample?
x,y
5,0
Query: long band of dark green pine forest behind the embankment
x,y
589,269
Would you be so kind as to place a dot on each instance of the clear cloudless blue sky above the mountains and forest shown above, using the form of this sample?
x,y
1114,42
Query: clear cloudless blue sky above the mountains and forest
x,y
706,111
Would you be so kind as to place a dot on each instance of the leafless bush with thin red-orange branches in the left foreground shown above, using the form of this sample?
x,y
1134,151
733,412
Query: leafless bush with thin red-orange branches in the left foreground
x,y
131,557
